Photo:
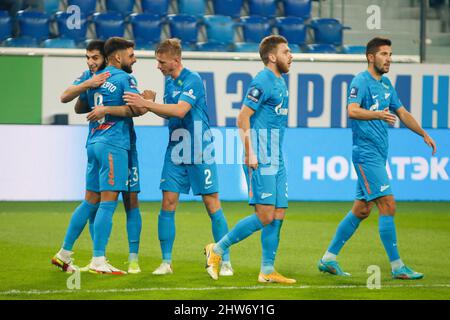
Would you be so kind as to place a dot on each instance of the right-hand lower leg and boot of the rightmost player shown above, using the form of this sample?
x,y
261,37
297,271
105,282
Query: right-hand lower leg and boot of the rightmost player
x,y
386,226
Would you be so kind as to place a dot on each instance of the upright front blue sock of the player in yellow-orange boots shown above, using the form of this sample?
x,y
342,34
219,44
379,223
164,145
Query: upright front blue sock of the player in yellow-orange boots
x,y
270,238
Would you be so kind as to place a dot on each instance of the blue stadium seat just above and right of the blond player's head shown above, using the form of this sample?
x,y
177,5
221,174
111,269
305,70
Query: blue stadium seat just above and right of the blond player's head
x,y
183,27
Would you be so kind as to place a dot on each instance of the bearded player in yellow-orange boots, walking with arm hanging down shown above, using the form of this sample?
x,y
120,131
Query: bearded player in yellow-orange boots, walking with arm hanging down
x,y
262,122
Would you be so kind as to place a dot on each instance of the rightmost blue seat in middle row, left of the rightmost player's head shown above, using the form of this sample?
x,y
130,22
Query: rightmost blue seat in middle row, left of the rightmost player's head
x,y
328,31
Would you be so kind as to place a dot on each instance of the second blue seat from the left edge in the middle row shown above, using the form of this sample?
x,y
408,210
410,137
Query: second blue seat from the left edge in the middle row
x,y
33,24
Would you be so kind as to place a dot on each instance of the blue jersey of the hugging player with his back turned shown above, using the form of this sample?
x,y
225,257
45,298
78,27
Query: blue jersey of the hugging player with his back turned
x,y
116,131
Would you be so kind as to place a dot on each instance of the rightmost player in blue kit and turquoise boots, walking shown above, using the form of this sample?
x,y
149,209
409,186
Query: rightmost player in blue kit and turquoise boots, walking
x,y
370,102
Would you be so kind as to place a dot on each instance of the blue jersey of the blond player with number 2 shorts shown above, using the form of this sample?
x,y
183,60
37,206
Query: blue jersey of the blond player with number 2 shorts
x,y
188,87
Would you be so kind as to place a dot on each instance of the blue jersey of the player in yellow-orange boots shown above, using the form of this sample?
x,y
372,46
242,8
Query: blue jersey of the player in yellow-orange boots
x,y
268,95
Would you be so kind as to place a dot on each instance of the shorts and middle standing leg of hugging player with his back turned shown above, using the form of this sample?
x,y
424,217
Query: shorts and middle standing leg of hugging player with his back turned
x,y
113,180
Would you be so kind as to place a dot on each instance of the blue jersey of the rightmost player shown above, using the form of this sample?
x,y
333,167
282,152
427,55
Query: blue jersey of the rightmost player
x,y
370,137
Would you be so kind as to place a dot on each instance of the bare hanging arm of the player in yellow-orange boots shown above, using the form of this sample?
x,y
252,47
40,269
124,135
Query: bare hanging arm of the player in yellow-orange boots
x,y
243,123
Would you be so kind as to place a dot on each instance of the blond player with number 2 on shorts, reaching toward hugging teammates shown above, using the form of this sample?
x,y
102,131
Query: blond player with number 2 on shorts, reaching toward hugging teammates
x,y
185,107
